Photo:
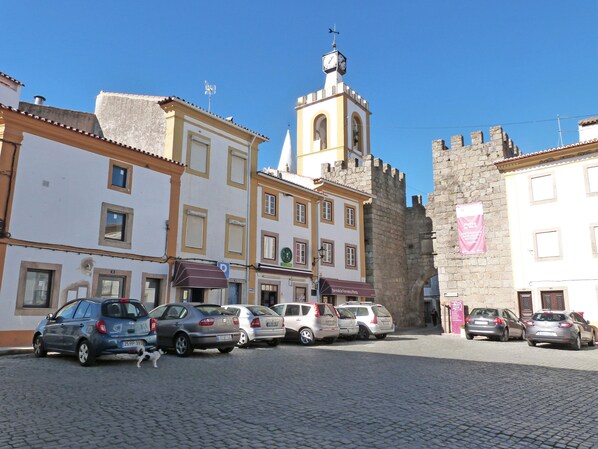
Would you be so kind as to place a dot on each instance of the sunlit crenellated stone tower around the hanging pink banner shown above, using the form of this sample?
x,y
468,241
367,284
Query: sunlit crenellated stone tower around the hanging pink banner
x,y
463,175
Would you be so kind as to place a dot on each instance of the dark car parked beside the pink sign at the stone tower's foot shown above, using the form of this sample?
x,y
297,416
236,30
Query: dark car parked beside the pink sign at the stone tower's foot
x,y
494,323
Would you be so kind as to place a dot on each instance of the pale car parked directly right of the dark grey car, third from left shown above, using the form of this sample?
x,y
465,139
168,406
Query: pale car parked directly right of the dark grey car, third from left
x,y
257,323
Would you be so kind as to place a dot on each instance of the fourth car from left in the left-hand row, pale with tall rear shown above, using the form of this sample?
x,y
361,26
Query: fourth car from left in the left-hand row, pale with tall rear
x,y
309,321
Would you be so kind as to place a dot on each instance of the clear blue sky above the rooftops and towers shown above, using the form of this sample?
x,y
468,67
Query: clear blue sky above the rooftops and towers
x,y
430,70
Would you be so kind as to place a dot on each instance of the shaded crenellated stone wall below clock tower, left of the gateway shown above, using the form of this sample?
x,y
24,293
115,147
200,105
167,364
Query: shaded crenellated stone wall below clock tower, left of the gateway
x,y
386,229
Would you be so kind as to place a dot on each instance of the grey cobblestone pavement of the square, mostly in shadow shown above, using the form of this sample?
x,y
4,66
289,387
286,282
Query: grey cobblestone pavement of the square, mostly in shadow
x,y
408,391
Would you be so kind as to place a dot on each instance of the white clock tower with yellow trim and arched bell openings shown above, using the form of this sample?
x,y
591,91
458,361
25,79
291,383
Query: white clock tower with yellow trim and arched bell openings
x,y
333,123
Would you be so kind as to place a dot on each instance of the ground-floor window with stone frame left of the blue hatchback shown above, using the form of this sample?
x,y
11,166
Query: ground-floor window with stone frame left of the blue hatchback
x,y
39,288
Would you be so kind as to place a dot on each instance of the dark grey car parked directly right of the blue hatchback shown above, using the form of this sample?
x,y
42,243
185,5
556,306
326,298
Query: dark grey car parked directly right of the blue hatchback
x,y
188,326
